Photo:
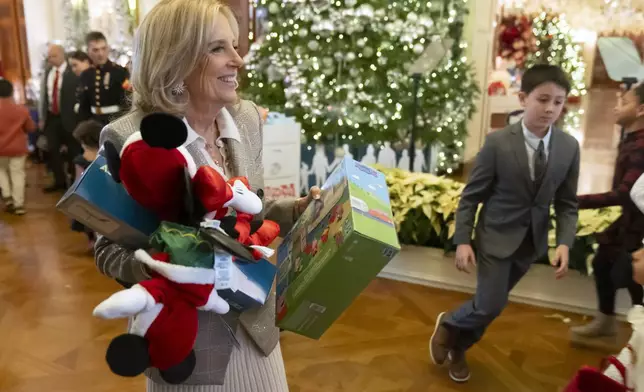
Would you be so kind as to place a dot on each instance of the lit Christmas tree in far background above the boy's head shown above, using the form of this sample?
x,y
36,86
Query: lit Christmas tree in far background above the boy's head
x,y
555,45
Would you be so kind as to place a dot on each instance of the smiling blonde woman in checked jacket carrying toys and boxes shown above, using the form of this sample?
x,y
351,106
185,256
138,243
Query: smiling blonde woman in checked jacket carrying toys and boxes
x,y
185,63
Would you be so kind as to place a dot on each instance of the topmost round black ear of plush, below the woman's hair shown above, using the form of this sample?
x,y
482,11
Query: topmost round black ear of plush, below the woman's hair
x,y
163,130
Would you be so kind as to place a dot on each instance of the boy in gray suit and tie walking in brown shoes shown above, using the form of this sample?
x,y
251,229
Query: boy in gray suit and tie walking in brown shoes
x,y
518,173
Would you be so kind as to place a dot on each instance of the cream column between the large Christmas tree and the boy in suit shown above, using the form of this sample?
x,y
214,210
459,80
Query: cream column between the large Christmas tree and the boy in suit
x,y
479,31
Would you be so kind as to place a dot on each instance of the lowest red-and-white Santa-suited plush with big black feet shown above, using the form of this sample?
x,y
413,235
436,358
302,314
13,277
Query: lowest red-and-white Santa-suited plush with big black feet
x,y
164,323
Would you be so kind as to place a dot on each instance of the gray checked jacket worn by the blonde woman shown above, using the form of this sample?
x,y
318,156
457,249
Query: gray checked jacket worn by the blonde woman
x,y
215,340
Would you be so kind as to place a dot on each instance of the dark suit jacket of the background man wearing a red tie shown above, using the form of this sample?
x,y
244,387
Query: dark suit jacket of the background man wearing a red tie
x,y
67,99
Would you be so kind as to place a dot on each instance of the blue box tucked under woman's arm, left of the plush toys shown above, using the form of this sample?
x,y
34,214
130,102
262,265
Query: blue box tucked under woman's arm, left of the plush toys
x,y
101,204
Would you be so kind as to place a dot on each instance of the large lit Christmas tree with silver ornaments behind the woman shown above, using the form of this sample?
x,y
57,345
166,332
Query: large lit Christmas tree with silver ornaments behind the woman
x,y
340,67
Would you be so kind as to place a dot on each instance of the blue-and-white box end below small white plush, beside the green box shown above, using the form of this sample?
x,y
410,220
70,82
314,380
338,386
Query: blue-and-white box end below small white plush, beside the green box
x,y
243,285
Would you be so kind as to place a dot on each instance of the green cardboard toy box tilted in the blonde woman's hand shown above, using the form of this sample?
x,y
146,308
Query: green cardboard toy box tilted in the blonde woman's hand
x,y
336,248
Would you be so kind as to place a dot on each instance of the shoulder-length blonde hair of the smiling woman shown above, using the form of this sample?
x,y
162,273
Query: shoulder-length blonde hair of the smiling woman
x,y
171,42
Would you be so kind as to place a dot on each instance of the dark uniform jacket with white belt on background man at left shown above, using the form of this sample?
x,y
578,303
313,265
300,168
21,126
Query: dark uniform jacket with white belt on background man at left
x,y
104,91
